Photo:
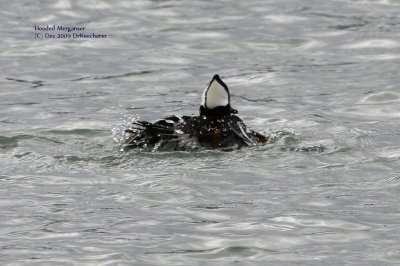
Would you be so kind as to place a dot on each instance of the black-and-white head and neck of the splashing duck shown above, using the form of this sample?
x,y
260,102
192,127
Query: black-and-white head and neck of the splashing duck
x,y
216,99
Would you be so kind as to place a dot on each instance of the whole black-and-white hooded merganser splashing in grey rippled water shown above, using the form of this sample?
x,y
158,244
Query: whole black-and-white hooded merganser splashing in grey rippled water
x,y
217,126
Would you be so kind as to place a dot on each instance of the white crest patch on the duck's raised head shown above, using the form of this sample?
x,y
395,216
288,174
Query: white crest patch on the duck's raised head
x,y
215,95
